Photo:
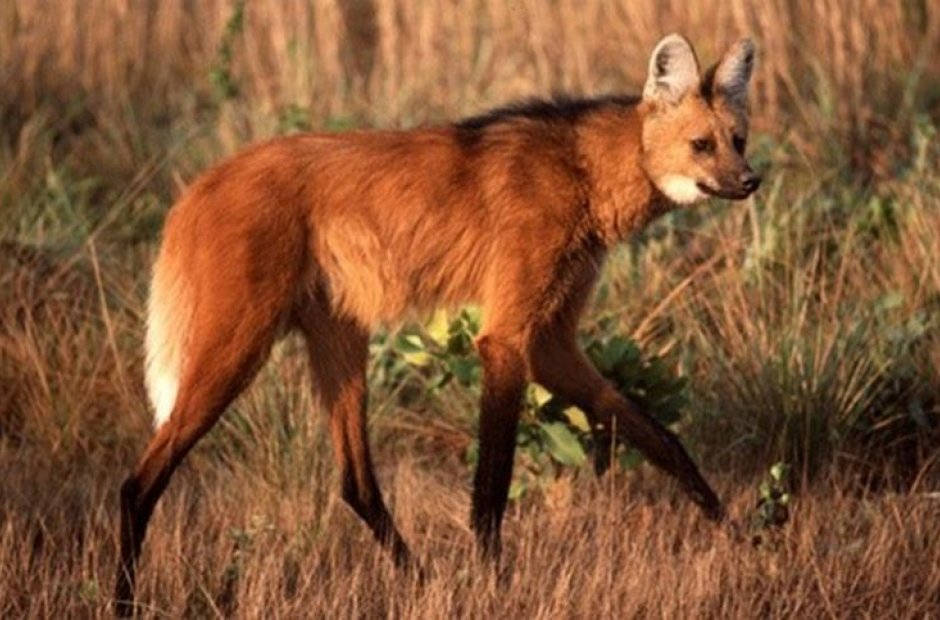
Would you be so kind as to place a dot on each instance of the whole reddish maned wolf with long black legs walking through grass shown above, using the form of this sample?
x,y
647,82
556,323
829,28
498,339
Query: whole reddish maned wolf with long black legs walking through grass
x,y
515,210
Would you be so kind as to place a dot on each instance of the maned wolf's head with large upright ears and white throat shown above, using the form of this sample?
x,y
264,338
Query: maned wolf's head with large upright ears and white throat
x,y
695,132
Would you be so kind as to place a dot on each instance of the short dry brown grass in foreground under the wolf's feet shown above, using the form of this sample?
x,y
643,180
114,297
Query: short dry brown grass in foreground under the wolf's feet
x,y
228,542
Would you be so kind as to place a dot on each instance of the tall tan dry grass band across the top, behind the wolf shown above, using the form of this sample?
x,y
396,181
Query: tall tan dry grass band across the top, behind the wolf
x,y
860,68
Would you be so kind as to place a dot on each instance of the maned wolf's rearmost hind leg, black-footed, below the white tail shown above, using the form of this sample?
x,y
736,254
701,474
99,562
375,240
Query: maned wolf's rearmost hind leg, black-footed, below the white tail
x,y
223,364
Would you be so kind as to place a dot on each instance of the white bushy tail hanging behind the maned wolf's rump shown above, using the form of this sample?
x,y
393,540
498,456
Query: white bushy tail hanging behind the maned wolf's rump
x,y
169,312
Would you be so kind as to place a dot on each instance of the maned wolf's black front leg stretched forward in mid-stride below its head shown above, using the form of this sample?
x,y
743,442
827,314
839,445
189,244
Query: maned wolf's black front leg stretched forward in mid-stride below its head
x,y
557,363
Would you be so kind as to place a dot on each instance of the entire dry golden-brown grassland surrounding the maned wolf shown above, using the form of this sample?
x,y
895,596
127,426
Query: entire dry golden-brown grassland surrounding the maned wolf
x,y
807,321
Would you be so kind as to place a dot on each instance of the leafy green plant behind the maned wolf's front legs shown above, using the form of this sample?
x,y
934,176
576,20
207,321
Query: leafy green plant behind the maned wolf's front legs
x,y
553,436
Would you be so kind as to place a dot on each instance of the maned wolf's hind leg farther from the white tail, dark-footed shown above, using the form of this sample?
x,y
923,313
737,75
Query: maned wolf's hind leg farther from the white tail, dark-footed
x,y
338,351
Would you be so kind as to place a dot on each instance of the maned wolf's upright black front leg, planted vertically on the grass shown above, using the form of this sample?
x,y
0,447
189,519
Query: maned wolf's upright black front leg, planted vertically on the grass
x,y
503,384
